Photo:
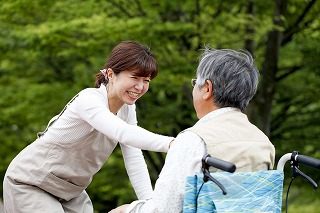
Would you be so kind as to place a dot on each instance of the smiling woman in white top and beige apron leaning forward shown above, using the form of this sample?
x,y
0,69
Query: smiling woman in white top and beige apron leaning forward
x,y
52,173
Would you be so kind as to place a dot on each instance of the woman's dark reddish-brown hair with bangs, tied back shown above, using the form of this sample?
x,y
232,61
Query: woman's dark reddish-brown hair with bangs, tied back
x,y
130,56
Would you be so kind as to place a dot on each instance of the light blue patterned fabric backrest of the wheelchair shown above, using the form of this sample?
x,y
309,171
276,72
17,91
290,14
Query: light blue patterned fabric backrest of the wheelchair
x,y
246,192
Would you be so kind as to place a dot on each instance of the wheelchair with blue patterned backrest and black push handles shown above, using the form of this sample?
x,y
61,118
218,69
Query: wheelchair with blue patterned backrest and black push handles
x,y
233,192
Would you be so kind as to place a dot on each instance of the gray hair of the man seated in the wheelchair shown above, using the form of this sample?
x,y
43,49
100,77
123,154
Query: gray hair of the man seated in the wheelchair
x,y
233,75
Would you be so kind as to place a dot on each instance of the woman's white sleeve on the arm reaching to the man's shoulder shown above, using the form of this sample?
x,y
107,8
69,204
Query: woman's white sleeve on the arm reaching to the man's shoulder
x,y
94,111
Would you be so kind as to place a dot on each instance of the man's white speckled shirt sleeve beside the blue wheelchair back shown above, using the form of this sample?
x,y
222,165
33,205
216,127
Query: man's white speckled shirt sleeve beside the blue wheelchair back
x,y
169,189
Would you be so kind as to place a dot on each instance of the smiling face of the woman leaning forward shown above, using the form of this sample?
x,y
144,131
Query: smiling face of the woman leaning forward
x,y
126,87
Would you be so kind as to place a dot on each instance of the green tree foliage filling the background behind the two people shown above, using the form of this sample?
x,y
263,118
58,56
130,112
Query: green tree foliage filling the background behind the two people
x,y
49,50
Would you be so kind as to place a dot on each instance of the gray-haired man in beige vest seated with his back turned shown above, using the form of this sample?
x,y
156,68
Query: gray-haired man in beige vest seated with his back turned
x,y
226,82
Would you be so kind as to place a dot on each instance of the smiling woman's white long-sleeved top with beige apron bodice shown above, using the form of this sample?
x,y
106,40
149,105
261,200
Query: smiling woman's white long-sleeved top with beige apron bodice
x,y
77,144
